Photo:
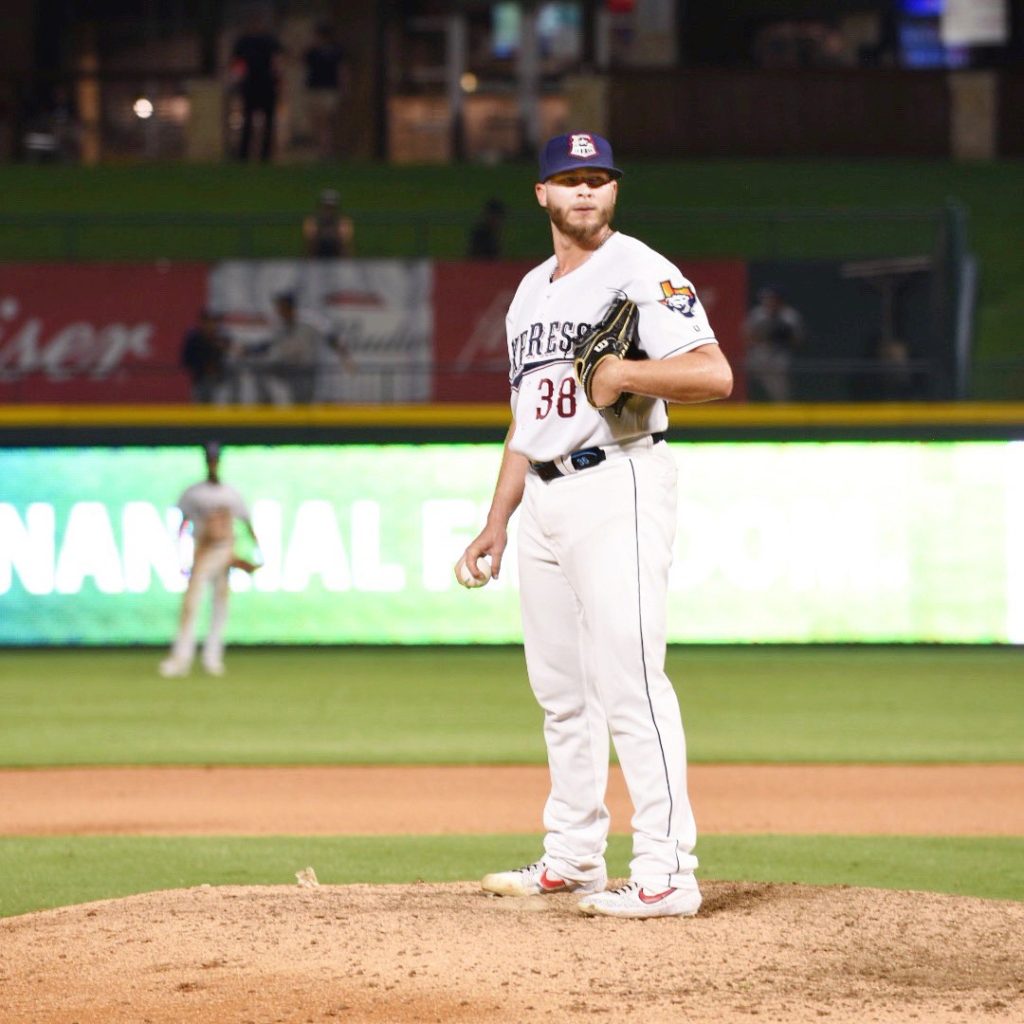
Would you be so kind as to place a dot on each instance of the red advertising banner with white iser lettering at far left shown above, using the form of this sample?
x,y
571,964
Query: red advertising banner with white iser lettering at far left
x,y
97,333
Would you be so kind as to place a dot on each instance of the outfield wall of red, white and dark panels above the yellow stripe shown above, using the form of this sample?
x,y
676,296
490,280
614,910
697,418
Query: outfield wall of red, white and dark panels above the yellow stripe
x,y
392,331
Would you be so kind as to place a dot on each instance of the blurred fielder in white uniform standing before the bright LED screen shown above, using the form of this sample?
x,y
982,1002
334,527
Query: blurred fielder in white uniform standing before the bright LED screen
x,y
211,508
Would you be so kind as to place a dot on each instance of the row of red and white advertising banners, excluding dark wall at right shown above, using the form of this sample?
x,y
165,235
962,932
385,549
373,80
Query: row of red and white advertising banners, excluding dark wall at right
x,y
385,330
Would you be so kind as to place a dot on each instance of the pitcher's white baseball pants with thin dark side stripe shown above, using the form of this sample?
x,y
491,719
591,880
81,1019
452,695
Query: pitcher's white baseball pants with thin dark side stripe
x,y
594,556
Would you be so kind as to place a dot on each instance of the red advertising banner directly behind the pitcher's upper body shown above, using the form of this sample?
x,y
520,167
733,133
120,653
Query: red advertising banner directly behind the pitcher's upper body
x,y
472,300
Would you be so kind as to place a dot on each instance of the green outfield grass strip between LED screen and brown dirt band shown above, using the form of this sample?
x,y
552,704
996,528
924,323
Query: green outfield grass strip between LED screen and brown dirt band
x,y
452,706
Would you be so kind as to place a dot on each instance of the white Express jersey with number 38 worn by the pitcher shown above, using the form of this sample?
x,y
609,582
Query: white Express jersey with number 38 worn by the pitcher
x,y
546,319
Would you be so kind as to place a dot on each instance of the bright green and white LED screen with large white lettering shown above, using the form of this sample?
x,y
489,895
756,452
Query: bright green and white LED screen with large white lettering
x,y
781,542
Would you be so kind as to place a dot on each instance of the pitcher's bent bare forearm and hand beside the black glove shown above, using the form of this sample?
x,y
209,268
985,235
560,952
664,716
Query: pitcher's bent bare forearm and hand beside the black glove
x,y
701,375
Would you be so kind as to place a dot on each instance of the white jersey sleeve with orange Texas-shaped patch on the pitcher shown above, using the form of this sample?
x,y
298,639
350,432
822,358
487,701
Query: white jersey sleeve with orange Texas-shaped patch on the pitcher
x,y
672,318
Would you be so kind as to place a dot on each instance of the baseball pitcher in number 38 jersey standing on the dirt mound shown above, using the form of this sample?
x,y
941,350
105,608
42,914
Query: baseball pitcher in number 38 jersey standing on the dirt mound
x,y
601,337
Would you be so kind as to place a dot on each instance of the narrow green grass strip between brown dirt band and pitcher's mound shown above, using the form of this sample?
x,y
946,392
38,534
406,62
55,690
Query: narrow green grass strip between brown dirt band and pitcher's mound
x,y
36,874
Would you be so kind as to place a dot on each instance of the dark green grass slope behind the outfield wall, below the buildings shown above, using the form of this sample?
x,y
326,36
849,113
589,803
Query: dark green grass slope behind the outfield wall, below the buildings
x,y
688,208
